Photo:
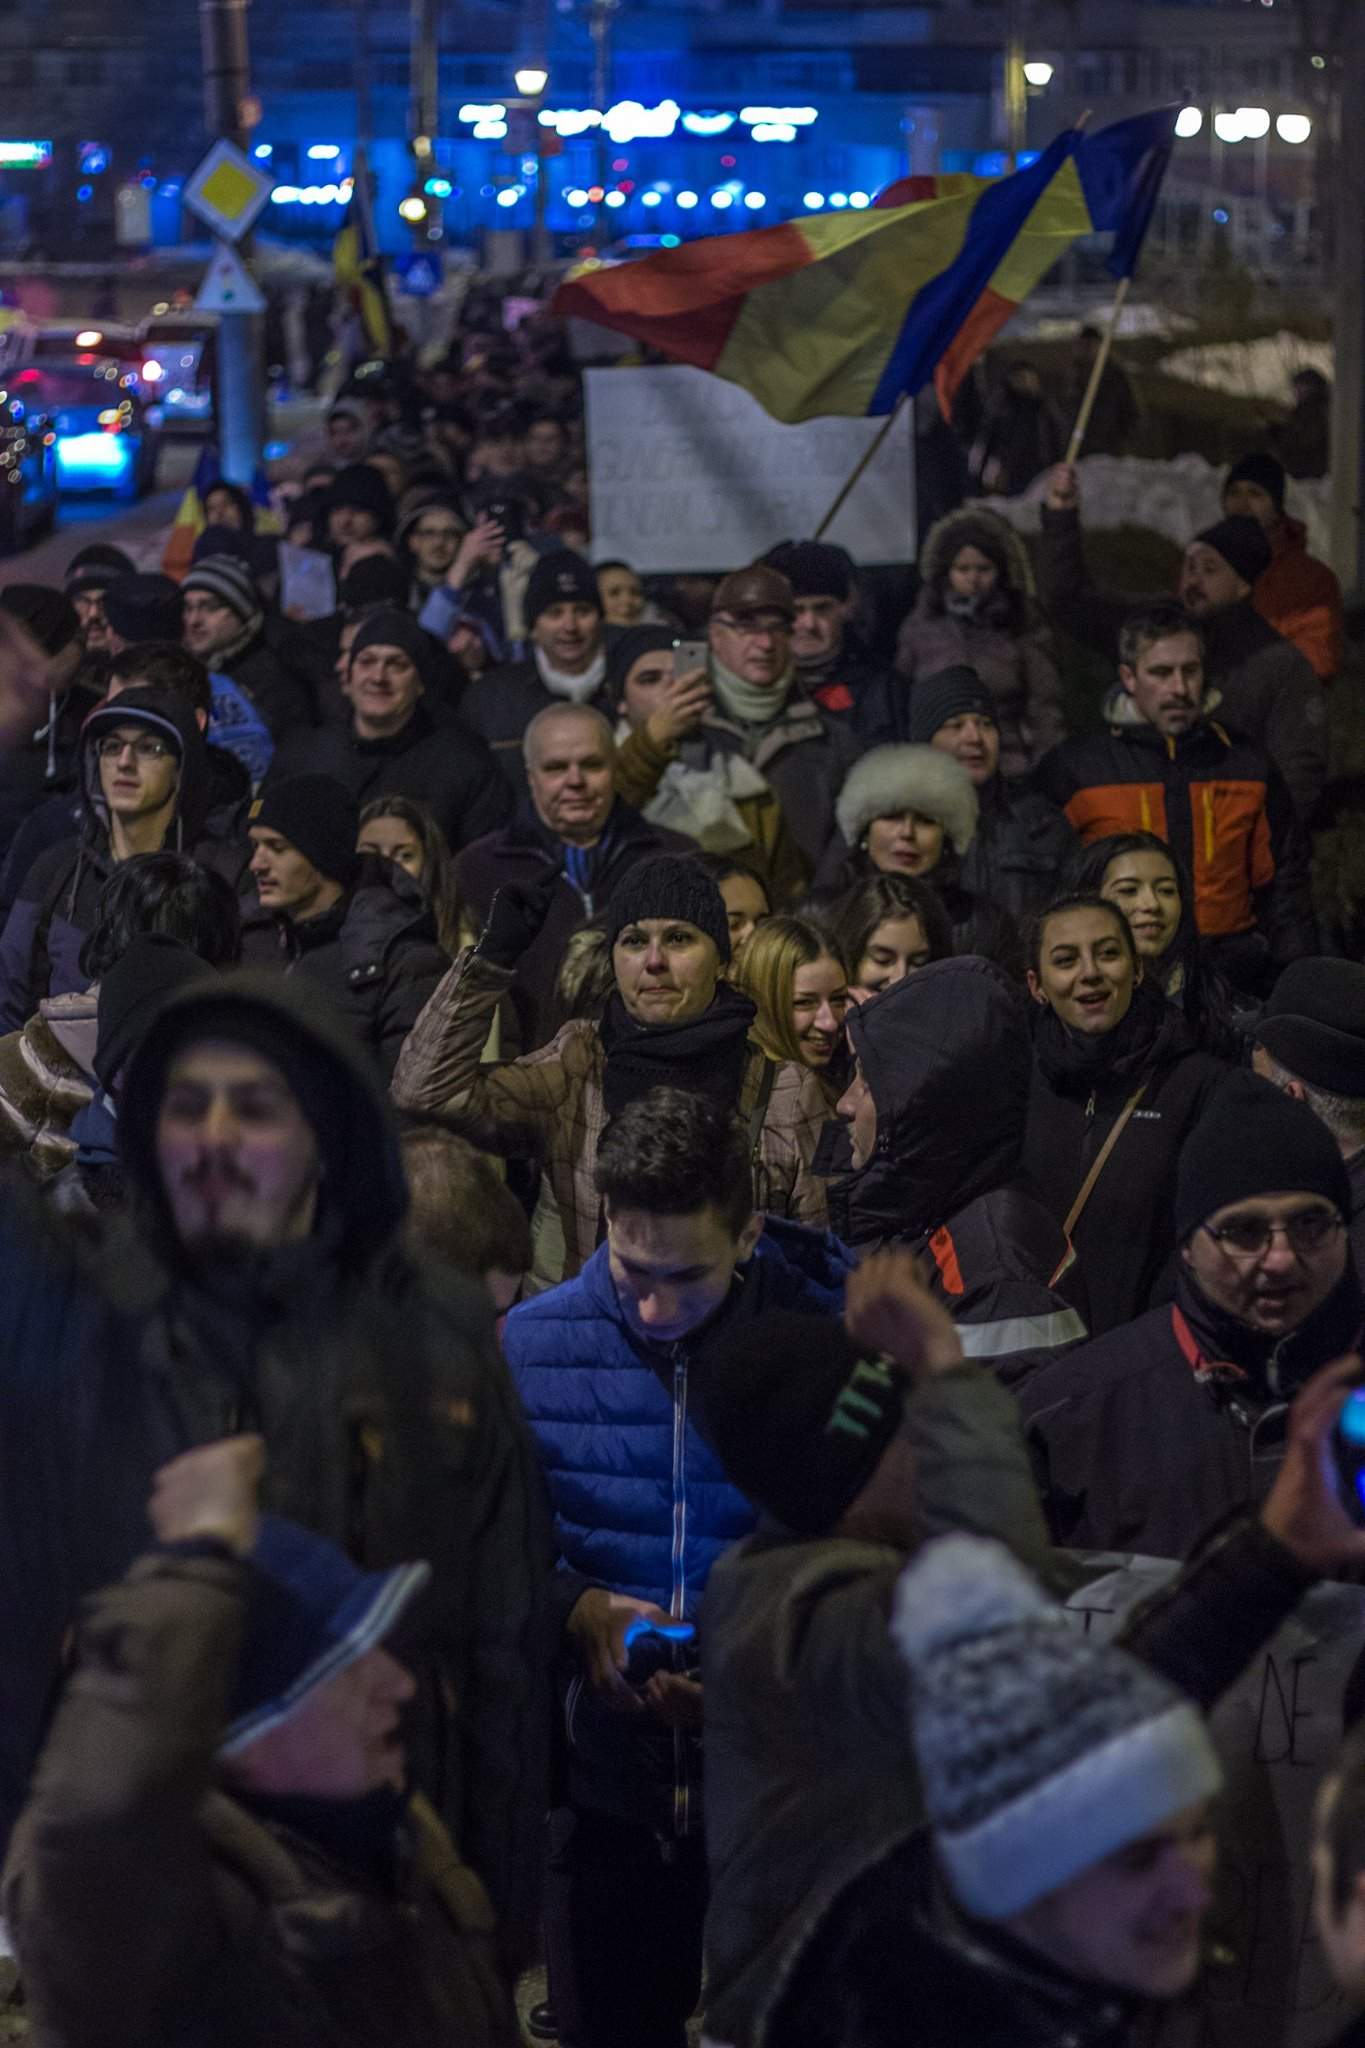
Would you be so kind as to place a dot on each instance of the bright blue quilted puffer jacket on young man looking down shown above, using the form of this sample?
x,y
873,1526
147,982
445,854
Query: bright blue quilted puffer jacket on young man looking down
x,y
642,1504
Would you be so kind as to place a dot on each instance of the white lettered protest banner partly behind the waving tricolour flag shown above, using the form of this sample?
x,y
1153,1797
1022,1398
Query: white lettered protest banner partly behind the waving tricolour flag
x,y
691,474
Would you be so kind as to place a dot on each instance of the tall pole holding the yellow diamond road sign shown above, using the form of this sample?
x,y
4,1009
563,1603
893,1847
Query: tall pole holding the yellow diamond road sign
x,y
243,337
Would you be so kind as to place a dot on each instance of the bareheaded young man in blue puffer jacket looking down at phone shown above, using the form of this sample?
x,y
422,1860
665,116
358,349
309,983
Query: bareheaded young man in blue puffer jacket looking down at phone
x,y
609,1367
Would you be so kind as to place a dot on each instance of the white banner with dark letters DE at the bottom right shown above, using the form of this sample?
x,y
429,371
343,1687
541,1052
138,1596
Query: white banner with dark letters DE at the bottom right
x,y
1278,1732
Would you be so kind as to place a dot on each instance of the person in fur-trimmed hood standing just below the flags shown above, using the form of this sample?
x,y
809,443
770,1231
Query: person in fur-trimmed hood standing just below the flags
x,y
977,611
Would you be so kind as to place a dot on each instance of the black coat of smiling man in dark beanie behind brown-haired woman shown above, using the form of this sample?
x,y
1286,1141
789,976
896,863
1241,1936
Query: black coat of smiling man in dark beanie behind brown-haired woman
x,y
439,763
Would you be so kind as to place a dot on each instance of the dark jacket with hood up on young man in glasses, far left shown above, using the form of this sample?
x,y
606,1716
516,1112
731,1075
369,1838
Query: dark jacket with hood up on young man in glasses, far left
x,y
58,900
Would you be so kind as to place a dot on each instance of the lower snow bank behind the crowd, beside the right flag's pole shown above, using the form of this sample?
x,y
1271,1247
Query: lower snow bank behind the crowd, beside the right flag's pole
x,y
1176,499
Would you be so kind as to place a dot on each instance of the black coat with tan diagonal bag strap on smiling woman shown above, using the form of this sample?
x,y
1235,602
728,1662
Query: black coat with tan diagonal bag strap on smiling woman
x,y
1125,1236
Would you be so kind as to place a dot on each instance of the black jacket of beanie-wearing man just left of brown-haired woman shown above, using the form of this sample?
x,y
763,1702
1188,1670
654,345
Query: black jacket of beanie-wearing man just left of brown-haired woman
x,y
373,953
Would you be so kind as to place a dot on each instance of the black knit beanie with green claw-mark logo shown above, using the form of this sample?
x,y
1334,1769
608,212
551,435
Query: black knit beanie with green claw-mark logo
x,y
799,1416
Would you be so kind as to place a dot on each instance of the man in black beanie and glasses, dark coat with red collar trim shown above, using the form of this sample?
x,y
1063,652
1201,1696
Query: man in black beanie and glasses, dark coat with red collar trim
x,y
1153,1433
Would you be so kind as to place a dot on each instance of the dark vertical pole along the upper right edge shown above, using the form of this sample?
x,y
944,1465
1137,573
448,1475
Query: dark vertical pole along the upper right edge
x,y
1350,318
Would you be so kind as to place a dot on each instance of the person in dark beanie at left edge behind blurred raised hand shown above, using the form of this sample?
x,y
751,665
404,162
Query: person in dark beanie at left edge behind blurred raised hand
x,y
44,761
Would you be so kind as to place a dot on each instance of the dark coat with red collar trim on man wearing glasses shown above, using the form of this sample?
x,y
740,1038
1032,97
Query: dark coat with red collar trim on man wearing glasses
x,y
1155,1431
